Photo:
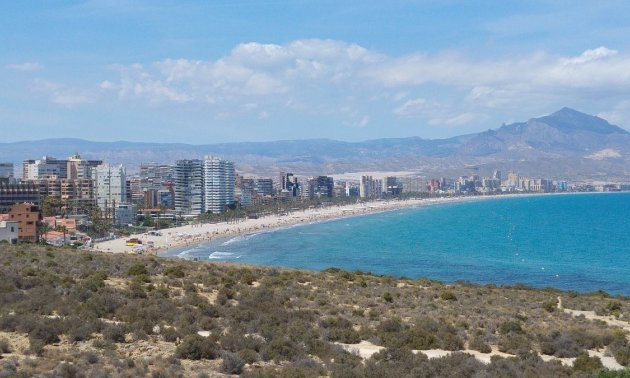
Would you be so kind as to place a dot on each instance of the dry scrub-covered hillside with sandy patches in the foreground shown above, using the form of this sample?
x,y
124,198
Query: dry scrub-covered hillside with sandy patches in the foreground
x,y
71,313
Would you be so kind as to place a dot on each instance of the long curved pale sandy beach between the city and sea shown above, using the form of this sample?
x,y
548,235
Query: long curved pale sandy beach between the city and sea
x,y
194,234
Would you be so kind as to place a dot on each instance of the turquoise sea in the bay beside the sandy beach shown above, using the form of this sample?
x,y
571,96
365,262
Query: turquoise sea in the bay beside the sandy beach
x,y
572,242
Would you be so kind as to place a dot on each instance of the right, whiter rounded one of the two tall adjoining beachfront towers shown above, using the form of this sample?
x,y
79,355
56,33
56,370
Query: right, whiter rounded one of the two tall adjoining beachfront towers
x,y
218,175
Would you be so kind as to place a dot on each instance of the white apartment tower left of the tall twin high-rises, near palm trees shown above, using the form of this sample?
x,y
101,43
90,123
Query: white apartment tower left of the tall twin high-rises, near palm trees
x,y
109,185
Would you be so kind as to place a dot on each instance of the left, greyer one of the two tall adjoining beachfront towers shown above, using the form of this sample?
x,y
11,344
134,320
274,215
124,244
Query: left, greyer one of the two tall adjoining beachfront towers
x,y
189,188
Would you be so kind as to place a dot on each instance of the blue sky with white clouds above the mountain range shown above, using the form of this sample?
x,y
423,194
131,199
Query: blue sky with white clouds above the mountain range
x,y
207,71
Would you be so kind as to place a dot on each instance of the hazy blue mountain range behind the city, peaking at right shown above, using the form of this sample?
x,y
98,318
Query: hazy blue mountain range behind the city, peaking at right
x,y
566,144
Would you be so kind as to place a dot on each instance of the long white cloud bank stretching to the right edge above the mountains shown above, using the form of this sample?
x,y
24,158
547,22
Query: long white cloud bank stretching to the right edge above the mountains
x,y
319,76
